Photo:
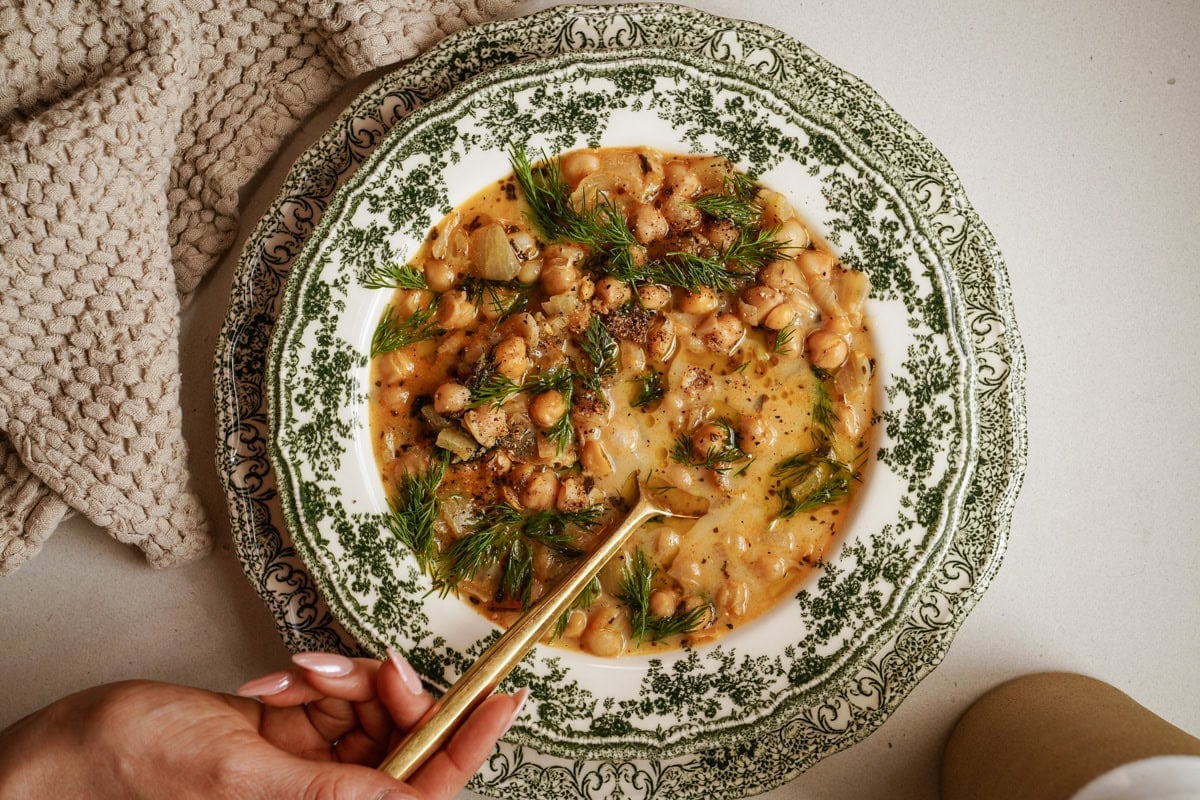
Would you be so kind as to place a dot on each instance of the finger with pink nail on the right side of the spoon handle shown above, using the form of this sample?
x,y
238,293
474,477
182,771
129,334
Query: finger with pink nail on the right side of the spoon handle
x,y
448,772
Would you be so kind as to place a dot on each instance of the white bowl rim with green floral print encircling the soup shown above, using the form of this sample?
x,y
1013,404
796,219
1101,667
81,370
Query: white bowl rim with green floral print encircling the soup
x,y
921,548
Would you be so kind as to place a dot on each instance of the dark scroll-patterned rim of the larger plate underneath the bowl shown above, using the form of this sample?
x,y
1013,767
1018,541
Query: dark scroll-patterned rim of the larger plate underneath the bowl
x,y
745,766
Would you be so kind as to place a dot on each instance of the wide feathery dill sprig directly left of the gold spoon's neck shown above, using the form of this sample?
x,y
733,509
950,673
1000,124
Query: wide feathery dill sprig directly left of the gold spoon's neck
x,y
505,536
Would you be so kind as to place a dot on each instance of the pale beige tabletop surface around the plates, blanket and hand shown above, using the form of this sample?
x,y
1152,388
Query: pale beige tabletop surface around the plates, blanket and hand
x,y
1076,130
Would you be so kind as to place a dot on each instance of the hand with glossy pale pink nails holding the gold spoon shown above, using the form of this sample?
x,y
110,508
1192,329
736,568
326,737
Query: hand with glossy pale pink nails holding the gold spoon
x,y
315,733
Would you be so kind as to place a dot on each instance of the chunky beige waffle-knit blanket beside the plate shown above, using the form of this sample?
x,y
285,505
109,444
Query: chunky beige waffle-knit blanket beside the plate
x,y
127,130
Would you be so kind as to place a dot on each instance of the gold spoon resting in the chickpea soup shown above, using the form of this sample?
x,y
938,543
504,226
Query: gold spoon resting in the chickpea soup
x,y
482,679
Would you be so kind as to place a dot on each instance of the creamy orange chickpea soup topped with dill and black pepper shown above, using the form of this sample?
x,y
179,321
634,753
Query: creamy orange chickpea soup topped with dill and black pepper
x,y
607,314
